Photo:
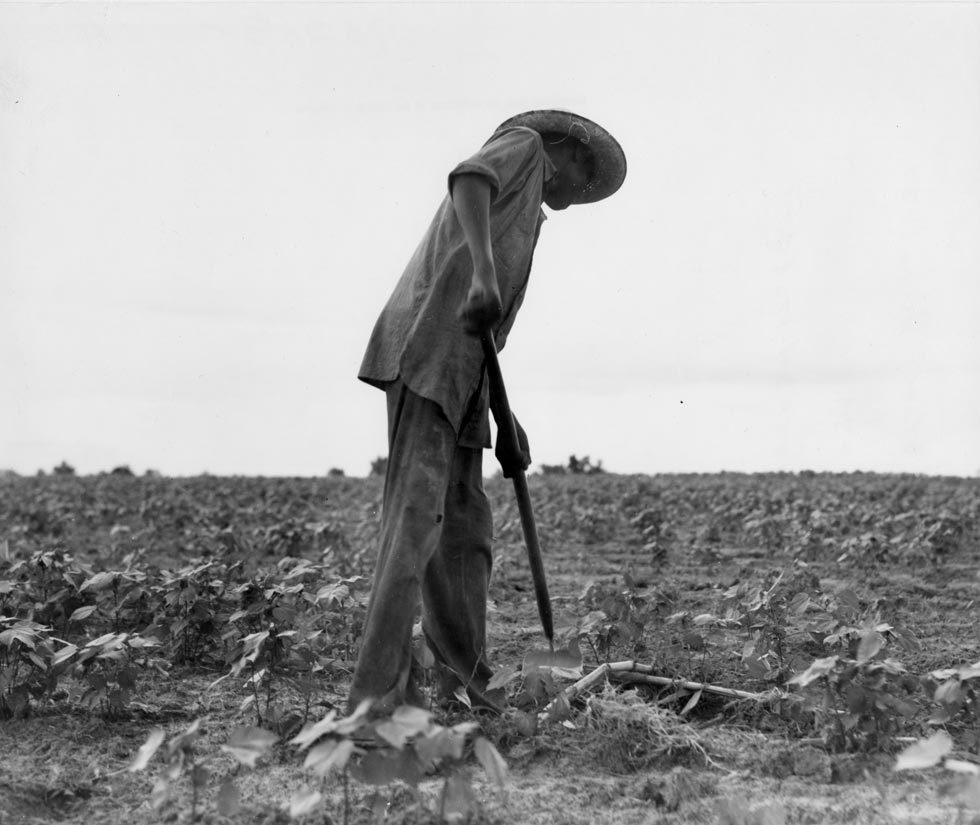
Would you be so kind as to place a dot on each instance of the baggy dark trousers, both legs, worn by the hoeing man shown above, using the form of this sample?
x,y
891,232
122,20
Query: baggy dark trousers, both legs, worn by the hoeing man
x,y
435,541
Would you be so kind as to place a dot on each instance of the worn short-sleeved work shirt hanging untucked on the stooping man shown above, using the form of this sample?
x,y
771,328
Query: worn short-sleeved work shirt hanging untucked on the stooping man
x,y
418,336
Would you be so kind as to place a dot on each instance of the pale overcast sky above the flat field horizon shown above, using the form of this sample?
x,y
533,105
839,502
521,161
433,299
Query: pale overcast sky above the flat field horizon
x,y
203,207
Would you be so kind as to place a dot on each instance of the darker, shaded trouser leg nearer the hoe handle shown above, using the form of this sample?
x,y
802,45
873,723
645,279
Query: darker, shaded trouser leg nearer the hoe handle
x,y
454,590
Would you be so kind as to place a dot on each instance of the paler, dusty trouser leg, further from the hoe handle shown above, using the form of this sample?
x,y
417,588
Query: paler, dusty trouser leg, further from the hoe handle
x,y
421,446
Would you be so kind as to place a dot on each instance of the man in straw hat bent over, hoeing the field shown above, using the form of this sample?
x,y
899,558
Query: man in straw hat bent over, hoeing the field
x,y
468,275
